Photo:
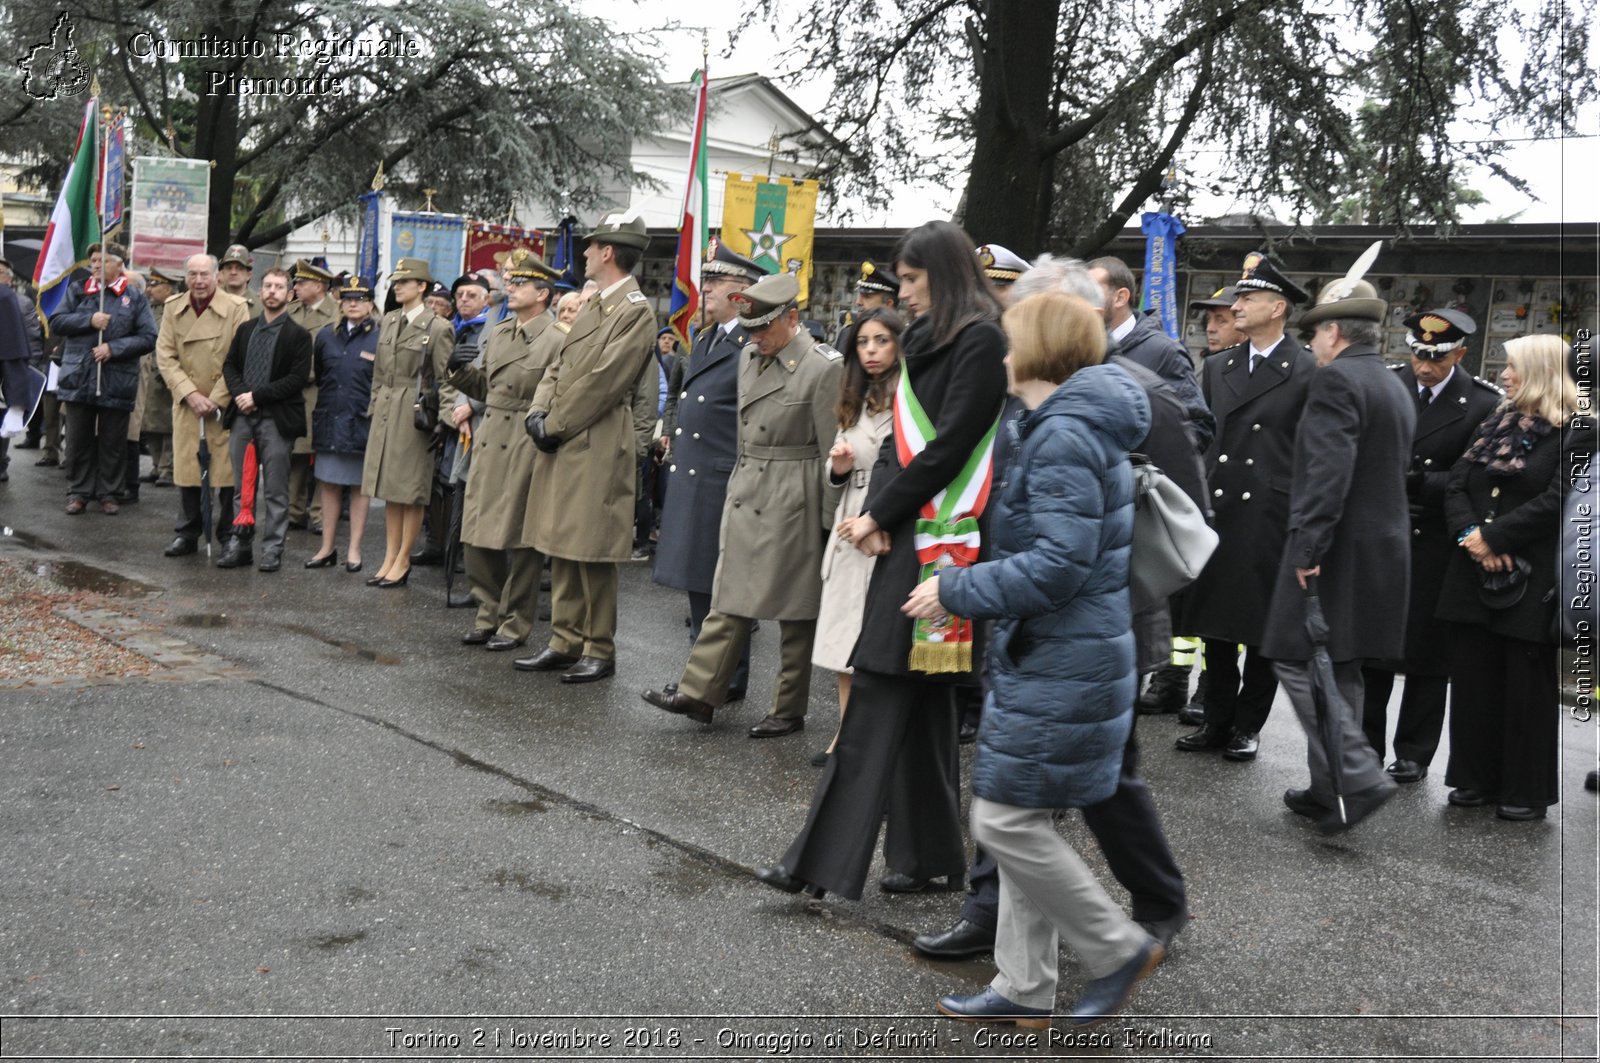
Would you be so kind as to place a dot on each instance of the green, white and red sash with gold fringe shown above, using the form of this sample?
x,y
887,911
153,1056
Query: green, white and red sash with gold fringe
x,y
946,532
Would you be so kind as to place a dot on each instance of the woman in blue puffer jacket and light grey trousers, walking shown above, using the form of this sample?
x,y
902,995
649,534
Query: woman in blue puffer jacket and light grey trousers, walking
x,y
1062,664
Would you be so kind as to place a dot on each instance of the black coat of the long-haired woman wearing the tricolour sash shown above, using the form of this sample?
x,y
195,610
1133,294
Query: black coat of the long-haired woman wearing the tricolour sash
x,y
962,388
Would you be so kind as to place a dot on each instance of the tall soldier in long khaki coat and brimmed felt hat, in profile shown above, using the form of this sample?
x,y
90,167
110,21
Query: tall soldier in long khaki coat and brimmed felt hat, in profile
x,y
582,516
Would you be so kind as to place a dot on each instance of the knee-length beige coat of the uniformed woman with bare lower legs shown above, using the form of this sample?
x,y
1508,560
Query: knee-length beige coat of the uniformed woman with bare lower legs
x,y
399,467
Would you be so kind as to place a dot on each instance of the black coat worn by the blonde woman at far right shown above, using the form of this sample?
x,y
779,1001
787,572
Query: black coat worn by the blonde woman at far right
x,y
1518,515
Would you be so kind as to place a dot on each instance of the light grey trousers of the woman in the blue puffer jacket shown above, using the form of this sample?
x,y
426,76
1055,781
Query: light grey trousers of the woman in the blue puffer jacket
x,y
1047,896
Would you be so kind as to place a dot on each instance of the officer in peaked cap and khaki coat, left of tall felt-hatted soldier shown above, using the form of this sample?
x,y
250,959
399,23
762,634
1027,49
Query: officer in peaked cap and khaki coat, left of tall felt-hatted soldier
x,y
502,569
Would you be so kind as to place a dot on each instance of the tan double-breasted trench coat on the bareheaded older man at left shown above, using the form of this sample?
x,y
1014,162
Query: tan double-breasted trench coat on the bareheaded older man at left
x,y
190,353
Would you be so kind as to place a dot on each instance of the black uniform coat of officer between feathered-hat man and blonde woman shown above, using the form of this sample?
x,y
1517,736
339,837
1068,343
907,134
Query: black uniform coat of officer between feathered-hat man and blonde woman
x,y
1444,430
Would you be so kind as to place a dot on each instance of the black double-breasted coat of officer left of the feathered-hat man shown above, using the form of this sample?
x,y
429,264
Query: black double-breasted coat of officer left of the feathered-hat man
x,y
1247,468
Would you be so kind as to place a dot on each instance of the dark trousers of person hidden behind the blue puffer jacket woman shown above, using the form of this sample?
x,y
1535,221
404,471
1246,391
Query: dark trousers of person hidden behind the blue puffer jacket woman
x,y
1129,832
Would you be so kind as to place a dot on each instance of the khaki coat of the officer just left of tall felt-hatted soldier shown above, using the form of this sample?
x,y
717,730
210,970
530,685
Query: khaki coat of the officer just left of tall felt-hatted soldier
x,y
502,471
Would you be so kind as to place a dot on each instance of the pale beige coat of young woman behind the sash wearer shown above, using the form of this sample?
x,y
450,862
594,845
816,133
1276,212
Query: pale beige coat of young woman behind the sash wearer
x,y
847,571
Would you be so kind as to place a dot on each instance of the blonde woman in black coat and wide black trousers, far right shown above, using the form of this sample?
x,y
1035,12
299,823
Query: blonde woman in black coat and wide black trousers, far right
x,y
1505,507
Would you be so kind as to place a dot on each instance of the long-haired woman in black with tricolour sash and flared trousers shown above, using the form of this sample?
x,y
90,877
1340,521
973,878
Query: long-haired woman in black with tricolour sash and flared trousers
x,y
897,747
